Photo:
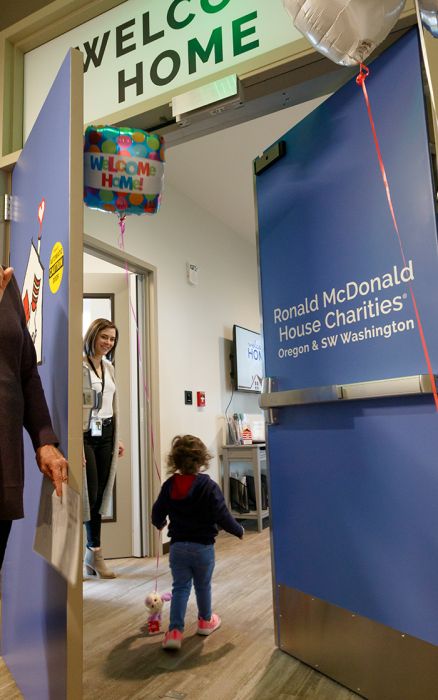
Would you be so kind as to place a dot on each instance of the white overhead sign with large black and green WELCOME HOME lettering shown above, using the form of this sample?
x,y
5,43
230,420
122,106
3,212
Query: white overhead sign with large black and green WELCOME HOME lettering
x,y
139,50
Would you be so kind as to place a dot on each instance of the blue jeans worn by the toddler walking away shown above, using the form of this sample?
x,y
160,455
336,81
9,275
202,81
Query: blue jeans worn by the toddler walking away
x,y
190,561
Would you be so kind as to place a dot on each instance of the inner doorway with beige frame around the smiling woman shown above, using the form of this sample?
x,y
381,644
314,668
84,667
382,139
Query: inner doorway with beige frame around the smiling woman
x,y
117,289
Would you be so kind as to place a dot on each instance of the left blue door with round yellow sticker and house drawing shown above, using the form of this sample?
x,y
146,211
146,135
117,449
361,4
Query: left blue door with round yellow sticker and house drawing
x,y
46,245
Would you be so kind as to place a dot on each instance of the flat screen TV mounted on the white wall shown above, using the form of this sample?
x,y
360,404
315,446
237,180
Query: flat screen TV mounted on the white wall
x,y
247,360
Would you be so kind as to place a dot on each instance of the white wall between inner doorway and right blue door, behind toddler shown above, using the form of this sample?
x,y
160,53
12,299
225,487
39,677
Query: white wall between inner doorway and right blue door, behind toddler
x,y
194,323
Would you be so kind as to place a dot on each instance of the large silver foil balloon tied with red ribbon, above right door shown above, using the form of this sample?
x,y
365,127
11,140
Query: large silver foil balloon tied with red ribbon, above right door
x,y
346,31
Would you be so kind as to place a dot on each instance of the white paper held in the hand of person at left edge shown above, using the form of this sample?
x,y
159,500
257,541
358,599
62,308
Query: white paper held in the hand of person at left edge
x,y
58,530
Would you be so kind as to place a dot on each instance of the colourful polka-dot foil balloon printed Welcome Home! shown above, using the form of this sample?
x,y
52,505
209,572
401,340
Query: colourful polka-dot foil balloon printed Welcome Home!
x,y
123,170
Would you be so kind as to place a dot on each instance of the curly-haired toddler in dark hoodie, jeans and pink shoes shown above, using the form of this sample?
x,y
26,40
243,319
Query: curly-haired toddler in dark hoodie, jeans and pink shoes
x,y
195,506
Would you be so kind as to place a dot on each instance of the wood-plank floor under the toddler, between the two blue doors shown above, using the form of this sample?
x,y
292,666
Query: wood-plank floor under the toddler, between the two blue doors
x,y
238,662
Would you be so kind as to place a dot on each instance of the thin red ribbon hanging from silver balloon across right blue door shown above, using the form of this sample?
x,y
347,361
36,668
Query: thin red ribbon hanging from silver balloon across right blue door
x,y
360,80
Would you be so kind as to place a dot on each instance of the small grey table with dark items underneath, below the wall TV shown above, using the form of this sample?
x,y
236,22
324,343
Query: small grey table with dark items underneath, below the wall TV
x,y
245,481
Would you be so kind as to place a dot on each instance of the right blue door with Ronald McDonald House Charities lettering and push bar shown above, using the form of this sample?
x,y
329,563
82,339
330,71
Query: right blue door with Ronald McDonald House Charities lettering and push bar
x,y
354,483
